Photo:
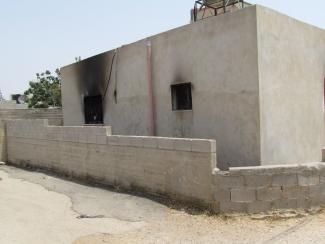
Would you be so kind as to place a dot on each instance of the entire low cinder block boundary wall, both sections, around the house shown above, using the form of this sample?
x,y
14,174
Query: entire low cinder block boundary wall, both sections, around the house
x,y
182,169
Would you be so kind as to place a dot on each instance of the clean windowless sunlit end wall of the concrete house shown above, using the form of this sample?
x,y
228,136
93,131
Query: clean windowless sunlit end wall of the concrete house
x,y
291,85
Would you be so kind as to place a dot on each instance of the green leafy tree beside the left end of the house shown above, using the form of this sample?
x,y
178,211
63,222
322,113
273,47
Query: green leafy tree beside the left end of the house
x,y
45,91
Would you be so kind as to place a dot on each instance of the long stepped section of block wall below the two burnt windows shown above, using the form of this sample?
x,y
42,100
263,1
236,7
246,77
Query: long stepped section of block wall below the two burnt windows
x,y
180,168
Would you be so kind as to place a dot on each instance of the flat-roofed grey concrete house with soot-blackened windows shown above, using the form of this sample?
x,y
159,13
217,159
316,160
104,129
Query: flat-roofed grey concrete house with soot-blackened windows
x,y
252,79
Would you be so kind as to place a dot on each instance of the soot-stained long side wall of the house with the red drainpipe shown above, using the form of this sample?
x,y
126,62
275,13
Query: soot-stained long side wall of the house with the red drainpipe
x,y
217,55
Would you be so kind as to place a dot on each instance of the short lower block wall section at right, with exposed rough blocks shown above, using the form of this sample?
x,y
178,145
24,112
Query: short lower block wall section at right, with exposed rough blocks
x,y
261,189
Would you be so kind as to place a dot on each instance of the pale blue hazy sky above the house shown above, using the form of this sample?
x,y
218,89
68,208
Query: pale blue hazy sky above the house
x,y
36,35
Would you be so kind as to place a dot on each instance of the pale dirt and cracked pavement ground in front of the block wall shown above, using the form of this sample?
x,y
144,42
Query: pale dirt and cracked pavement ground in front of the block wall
x,y
39,208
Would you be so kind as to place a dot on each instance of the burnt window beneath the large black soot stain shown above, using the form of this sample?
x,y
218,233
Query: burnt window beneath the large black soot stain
x,y
93,110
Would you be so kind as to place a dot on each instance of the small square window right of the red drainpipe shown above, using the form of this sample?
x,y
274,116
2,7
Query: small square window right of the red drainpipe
x,y
181,96
